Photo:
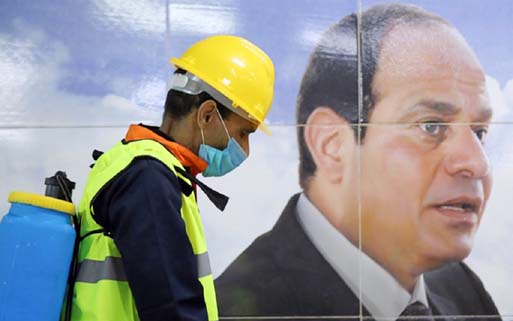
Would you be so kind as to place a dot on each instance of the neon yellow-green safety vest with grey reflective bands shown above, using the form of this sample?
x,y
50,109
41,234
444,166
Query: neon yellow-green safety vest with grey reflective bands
x,y
101,290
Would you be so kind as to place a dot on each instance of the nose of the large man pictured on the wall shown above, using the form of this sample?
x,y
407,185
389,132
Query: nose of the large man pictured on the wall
x,y
466,156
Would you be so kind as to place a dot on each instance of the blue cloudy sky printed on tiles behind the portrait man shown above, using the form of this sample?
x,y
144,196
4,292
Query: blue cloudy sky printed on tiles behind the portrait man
x,y
76,72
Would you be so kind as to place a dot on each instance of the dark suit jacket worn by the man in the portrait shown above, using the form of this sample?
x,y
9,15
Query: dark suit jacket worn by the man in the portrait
x,y
283,274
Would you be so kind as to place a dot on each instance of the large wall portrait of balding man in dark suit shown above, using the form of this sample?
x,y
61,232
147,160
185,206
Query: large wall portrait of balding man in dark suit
x,y
394,178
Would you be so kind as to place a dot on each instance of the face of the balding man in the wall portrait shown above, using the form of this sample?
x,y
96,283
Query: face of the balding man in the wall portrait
x,y
426,181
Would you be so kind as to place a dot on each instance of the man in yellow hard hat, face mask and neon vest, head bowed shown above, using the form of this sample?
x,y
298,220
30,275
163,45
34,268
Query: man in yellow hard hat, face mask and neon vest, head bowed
x,y
143,254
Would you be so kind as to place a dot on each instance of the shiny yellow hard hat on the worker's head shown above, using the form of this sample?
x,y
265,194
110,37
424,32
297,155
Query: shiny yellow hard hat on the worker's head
x,y
235,68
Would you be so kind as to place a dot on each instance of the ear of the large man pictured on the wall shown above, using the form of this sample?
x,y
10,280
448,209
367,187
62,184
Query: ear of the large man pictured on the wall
x,y
327,136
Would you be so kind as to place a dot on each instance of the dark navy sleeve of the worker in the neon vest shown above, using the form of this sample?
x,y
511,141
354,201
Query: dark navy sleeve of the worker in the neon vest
x,y
141,209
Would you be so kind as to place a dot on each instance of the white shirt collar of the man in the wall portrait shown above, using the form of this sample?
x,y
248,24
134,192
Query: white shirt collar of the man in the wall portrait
x,y
381,294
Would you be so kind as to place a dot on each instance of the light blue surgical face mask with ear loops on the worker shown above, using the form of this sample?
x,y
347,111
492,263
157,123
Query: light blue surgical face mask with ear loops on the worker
x,y
221,162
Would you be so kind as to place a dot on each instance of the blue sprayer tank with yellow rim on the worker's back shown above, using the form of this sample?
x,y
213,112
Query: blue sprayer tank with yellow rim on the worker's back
x,y
37,245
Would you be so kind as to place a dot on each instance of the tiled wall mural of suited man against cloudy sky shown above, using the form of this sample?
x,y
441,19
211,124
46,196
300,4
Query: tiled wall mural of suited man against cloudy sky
x,y
389,171
